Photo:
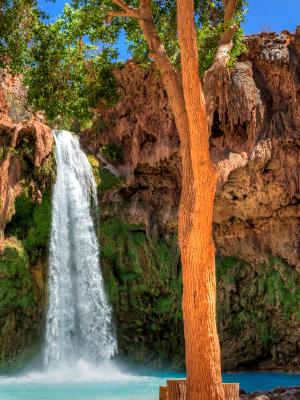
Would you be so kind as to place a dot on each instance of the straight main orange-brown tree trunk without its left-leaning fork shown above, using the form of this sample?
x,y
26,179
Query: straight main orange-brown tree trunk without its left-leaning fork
x,y
203,362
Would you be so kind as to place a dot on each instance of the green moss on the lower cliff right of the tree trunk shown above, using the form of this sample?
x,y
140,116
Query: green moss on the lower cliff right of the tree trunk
x,y
257,308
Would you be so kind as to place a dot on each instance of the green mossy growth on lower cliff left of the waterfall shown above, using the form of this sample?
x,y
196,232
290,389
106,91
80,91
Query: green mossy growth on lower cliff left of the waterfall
x,y
22,280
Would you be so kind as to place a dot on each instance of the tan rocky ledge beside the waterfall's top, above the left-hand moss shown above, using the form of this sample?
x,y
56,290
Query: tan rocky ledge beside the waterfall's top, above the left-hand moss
x,y
25,149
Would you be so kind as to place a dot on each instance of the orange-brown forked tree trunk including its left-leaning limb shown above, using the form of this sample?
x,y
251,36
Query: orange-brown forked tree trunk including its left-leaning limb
x,y
199,179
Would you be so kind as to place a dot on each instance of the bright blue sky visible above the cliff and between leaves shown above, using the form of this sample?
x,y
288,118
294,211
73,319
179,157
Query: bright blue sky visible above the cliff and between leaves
x,y
267,15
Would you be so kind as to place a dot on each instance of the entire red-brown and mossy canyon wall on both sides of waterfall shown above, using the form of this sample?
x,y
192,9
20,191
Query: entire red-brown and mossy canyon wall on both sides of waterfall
x,y
134,150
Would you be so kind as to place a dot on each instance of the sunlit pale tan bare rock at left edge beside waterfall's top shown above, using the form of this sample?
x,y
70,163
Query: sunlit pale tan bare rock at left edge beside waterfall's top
x,y
27,144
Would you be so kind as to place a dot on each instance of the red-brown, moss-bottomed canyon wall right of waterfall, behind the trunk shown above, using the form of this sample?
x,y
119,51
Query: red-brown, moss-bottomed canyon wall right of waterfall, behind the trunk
x,y
255,145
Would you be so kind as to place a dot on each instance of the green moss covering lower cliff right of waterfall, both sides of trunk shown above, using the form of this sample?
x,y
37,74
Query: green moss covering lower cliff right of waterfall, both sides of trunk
x,y
258,303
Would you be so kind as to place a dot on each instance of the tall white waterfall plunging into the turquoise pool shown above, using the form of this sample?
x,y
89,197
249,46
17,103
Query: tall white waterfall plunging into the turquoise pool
x,y
78,324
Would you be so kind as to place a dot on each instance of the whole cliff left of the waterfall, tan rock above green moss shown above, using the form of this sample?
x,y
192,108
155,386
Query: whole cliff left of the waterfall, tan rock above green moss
x,y
27,169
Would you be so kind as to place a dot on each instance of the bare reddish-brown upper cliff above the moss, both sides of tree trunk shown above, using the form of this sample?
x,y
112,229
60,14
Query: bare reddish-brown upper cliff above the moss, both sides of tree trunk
x,y
254,143
